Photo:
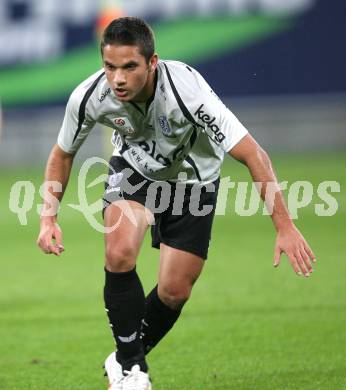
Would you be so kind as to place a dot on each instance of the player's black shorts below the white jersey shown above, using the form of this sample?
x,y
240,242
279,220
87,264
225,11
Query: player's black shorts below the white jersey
x,y
183,213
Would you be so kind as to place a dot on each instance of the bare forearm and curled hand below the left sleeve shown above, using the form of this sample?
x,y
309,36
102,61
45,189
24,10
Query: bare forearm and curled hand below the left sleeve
x,y
58,170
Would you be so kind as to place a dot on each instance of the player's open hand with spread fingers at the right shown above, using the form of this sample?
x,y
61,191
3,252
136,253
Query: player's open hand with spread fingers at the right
x,y
291,242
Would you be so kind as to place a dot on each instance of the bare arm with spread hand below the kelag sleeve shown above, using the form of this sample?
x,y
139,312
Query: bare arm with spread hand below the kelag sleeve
x,y
289,240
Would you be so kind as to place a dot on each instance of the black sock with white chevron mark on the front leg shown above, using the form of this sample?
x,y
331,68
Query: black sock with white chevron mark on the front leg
x,y
125,305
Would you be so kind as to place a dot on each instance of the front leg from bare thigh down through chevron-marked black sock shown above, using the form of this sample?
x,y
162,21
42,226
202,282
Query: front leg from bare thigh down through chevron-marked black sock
x,y
123,291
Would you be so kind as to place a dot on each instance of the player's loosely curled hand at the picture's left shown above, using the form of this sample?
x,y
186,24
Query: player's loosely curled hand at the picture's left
x,y
50,231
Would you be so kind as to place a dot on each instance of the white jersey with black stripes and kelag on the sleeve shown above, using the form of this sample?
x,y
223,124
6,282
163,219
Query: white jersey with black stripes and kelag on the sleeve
x,y
184,128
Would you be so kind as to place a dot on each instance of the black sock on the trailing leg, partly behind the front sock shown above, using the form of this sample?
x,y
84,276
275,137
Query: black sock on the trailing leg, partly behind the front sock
x,y
158,320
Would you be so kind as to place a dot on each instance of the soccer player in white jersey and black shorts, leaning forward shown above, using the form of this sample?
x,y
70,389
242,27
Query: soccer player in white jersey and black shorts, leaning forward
x,y
172,131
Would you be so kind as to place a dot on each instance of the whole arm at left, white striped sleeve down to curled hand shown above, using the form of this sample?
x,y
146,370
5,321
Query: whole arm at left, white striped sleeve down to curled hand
x,y
77,124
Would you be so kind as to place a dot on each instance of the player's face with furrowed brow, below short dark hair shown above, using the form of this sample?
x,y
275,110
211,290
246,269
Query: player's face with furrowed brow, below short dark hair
x,y
128,73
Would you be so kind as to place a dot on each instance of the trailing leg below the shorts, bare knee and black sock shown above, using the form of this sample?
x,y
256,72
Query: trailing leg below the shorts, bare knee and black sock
x,y
178,272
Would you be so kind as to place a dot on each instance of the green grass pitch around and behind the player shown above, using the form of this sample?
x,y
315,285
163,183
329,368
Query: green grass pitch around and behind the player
x,y
247,325
